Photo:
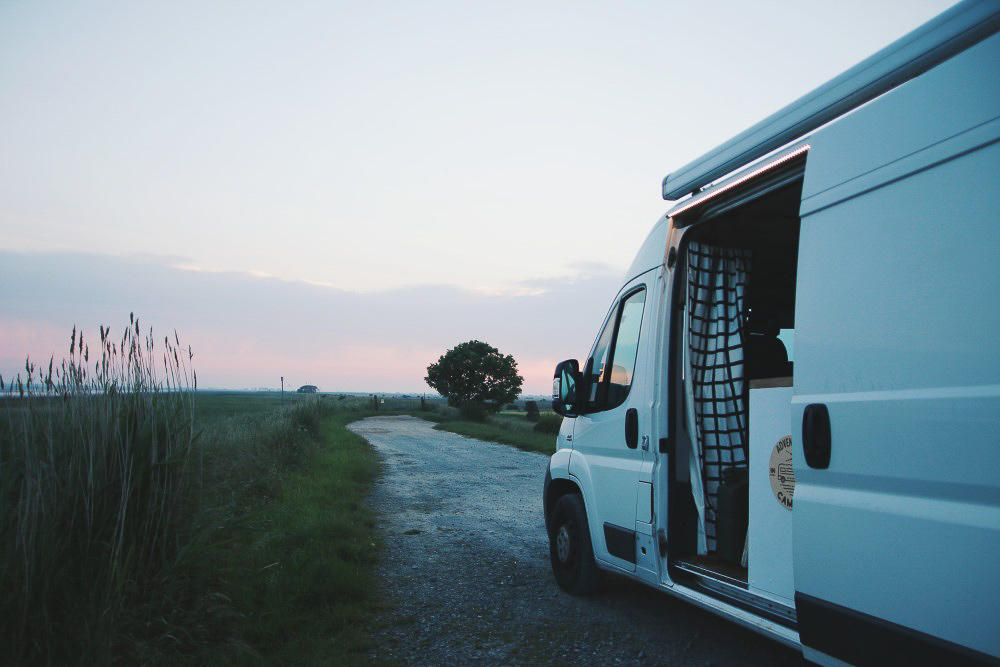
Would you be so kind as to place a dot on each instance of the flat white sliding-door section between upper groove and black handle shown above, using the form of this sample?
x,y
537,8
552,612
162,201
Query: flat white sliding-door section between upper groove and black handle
x,y
894,285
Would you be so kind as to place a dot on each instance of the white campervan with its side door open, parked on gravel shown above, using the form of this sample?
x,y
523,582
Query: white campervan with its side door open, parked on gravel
x,y
791,414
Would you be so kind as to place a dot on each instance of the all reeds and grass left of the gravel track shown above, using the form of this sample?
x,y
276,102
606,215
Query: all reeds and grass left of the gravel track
x,y
146,523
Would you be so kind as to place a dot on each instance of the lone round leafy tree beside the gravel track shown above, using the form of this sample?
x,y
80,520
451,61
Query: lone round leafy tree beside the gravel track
x,y
475,378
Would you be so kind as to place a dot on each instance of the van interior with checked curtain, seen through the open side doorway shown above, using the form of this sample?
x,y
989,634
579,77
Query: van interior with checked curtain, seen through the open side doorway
x,y
762,227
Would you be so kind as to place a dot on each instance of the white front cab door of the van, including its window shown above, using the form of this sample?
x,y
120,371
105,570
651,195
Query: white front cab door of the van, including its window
x,y
606,456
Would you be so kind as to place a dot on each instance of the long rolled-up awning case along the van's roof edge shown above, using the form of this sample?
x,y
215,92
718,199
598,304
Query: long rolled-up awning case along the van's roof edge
x,y
937,40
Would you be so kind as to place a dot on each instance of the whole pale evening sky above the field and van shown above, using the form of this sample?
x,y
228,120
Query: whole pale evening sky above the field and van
x,y
338,192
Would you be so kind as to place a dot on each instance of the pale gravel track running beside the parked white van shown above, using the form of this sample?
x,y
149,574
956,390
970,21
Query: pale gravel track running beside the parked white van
x,y
465,574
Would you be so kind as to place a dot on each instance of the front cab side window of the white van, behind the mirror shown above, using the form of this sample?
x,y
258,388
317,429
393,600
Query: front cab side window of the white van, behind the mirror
x,y
612,365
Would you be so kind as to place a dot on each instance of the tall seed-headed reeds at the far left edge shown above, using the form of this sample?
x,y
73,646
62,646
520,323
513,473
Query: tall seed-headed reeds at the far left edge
x,y
96,492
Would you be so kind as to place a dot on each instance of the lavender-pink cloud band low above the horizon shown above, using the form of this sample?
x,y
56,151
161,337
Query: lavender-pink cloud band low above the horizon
x,y
248,330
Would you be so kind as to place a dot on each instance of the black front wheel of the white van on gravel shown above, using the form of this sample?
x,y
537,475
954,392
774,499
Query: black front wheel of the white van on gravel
x,y
570,548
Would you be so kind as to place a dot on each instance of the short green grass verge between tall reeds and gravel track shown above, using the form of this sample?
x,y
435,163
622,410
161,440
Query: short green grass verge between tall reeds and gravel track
x,y
303,582
